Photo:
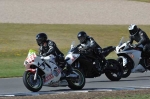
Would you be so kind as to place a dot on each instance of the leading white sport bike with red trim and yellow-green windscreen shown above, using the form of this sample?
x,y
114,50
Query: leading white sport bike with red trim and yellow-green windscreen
x,y
43,71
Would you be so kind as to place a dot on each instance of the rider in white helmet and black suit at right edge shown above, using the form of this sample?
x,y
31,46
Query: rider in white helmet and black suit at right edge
x,y
140,37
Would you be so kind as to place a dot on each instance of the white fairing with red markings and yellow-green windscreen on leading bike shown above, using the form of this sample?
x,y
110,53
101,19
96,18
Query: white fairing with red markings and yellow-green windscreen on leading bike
x,y
47,64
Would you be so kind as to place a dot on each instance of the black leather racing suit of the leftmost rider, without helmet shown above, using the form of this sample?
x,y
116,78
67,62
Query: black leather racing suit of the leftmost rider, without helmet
x,y
51,48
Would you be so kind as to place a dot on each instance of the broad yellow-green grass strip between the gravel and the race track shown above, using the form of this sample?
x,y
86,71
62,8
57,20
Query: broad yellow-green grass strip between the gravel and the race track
x,y
17,39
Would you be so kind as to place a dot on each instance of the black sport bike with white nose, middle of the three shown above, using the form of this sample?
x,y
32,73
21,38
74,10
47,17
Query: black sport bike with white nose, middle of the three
x,y
86,62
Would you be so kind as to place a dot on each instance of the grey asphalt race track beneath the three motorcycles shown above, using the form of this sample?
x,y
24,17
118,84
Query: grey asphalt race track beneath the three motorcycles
x,y
15,86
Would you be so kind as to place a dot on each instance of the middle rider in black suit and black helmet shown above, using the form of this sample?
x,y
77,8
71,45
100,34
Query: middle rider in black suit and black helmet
x,y
89,45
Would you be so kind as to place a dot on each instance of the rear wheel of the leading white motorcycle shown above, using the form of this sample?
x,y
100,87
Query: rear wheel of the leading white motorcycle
x,y
77,83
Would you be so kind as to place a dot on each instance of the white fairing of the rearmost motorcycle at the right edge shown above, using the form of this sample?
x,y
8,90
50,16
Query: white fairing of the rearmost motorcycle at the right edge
x,y
135,55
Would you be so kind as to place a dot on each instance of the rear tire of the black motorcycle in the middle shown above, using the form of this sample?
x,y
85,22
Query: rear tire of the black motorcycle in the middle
x,y
114,75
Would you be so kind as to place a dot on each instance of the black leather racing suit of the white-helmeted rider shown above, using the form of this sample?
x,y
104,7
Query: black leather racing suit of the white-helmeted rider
x,y
141,38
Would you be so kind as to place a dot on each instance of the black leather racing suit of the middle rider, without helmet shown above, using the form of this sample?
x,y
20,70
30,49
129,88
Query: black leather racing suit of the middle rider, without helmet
x,y
90,45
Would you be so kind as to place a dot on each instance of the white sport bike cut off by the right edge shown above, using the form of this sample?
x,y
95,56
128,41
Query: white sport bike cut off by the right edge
x,y
132,59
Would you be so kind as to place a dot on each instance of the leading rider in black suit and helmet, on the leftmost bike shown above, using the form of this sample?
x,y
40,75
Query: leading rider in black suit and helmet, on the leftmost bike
x,y
48,47
